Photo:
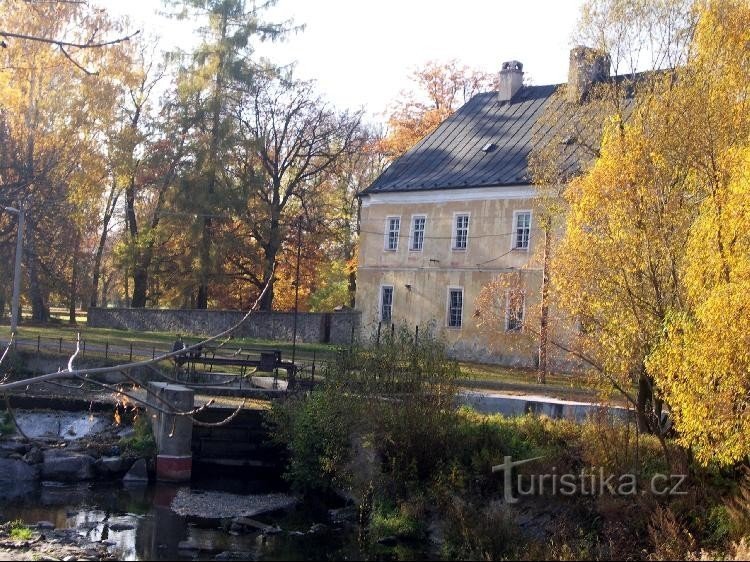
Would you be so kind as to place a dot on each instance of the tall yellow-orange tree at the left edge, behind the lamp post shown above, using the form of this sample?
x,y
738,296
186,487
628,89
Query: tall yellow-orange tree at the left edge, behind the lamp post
x,y
52,157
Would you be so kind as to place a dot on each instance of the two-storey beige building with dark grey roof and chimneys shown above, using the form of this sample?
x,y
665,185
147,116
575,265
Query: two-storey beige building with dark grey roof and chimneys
x,y
459,209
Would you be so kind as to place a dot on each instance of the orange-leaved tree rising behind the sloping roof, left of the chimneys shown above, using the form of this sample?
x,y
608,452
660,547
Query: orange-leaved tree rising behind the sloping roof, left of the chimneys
x,y
440,90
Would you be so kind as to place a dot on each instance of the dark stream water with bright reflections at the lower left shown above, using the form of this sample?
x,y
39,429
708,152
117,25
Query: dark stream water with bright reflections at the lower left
x,y
141,526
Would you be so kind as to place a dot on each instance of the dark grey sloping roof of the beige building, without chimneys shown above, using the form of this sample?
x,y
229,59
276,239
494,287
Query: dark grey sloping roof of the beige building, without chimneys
x,y
452,155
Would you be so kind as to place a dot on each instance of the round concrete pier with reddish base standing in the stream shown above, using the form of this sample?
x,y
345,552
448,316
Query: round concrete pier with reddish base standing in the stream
x,y
173,434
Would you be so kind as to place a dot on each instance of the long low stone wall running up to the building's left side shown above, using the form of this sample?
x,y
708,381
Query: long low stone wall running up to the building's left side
x,y
312,327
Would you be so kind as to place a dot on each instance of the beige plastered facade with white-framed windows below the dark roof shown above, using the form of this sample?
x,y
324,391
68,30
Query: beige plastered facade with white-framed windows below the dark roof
x,y
424,258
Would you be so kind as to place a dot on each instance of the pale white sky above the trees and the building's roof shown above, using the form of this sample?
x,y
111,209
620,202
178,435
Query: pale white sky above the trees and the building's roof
x,y
361,52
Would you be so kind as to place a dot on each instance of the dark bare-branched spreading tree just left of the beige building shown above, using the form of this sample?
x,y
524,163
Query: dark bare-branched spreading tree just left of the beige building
x,y
290,141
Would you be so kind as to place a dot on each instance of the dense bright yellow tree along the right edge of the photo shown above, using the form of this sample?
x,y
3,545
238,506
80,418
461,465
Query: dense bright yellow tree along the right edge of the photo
x,y
702,366
